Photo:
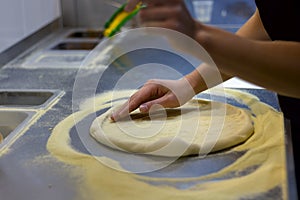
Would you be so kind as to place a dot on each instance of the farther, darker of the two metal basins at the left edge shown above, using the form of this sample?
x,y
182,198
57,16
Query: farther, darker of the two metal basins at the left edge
x,y
28,98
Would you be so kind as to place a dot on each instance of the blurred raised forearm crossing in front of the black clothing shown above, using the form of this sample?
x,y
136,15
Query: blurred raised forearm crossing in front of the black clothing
x,y
273,65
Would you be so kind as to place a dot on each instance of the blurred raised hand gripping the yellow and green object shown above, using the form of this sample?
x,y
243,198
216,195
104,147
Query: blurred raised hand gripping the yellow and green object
x,y
170,14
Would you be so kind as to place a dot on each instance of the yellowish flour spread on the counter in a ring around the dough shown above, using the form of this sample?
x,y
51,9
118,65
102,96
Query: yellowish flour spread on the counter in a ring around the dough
x,y
258,173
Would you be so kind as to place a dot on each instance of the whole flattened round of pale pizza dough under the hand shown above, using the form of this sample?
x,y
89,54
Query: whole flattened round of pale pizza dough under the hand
x,y
198,127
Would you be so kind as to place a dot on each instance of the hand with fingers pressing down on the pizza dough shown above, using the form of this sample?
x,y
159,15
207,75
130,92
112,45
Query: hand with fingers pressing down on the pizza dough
x,y
166,93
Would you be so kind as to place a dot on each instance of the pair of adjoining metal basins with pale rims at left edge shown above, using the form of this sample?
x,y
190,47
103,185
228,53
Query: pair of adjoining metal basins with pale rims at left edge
x,y
18,107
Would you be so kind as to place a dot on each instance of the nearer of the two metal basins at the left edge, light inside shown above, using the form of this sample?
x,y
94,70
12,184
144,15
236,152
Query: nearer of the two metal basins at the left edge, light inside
x,y
12,122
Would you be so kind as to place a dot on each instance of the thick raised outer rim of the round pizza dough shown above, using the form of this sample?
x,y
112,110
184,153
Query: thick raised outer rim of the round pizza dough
x,y
178,147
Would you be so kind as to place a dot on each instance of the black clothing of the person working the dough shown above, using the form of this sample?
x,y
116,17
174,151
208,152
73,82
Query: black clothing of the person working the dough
x,y
281,19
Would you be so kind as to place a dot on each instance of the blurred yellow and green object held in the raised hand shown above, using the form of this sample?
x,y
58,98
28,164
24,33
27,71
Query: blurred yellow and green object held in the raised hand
x,y
119,19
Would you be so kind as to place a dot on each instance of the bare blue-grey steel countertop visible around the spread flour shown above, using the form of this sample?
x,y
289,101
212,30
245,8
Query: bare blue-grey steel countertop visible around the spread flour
x,y
34,70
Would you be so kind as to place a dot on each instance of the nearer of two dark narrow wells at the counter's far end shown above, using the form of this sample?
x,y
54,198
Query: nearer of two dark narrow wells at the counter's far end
x,y
75,46
